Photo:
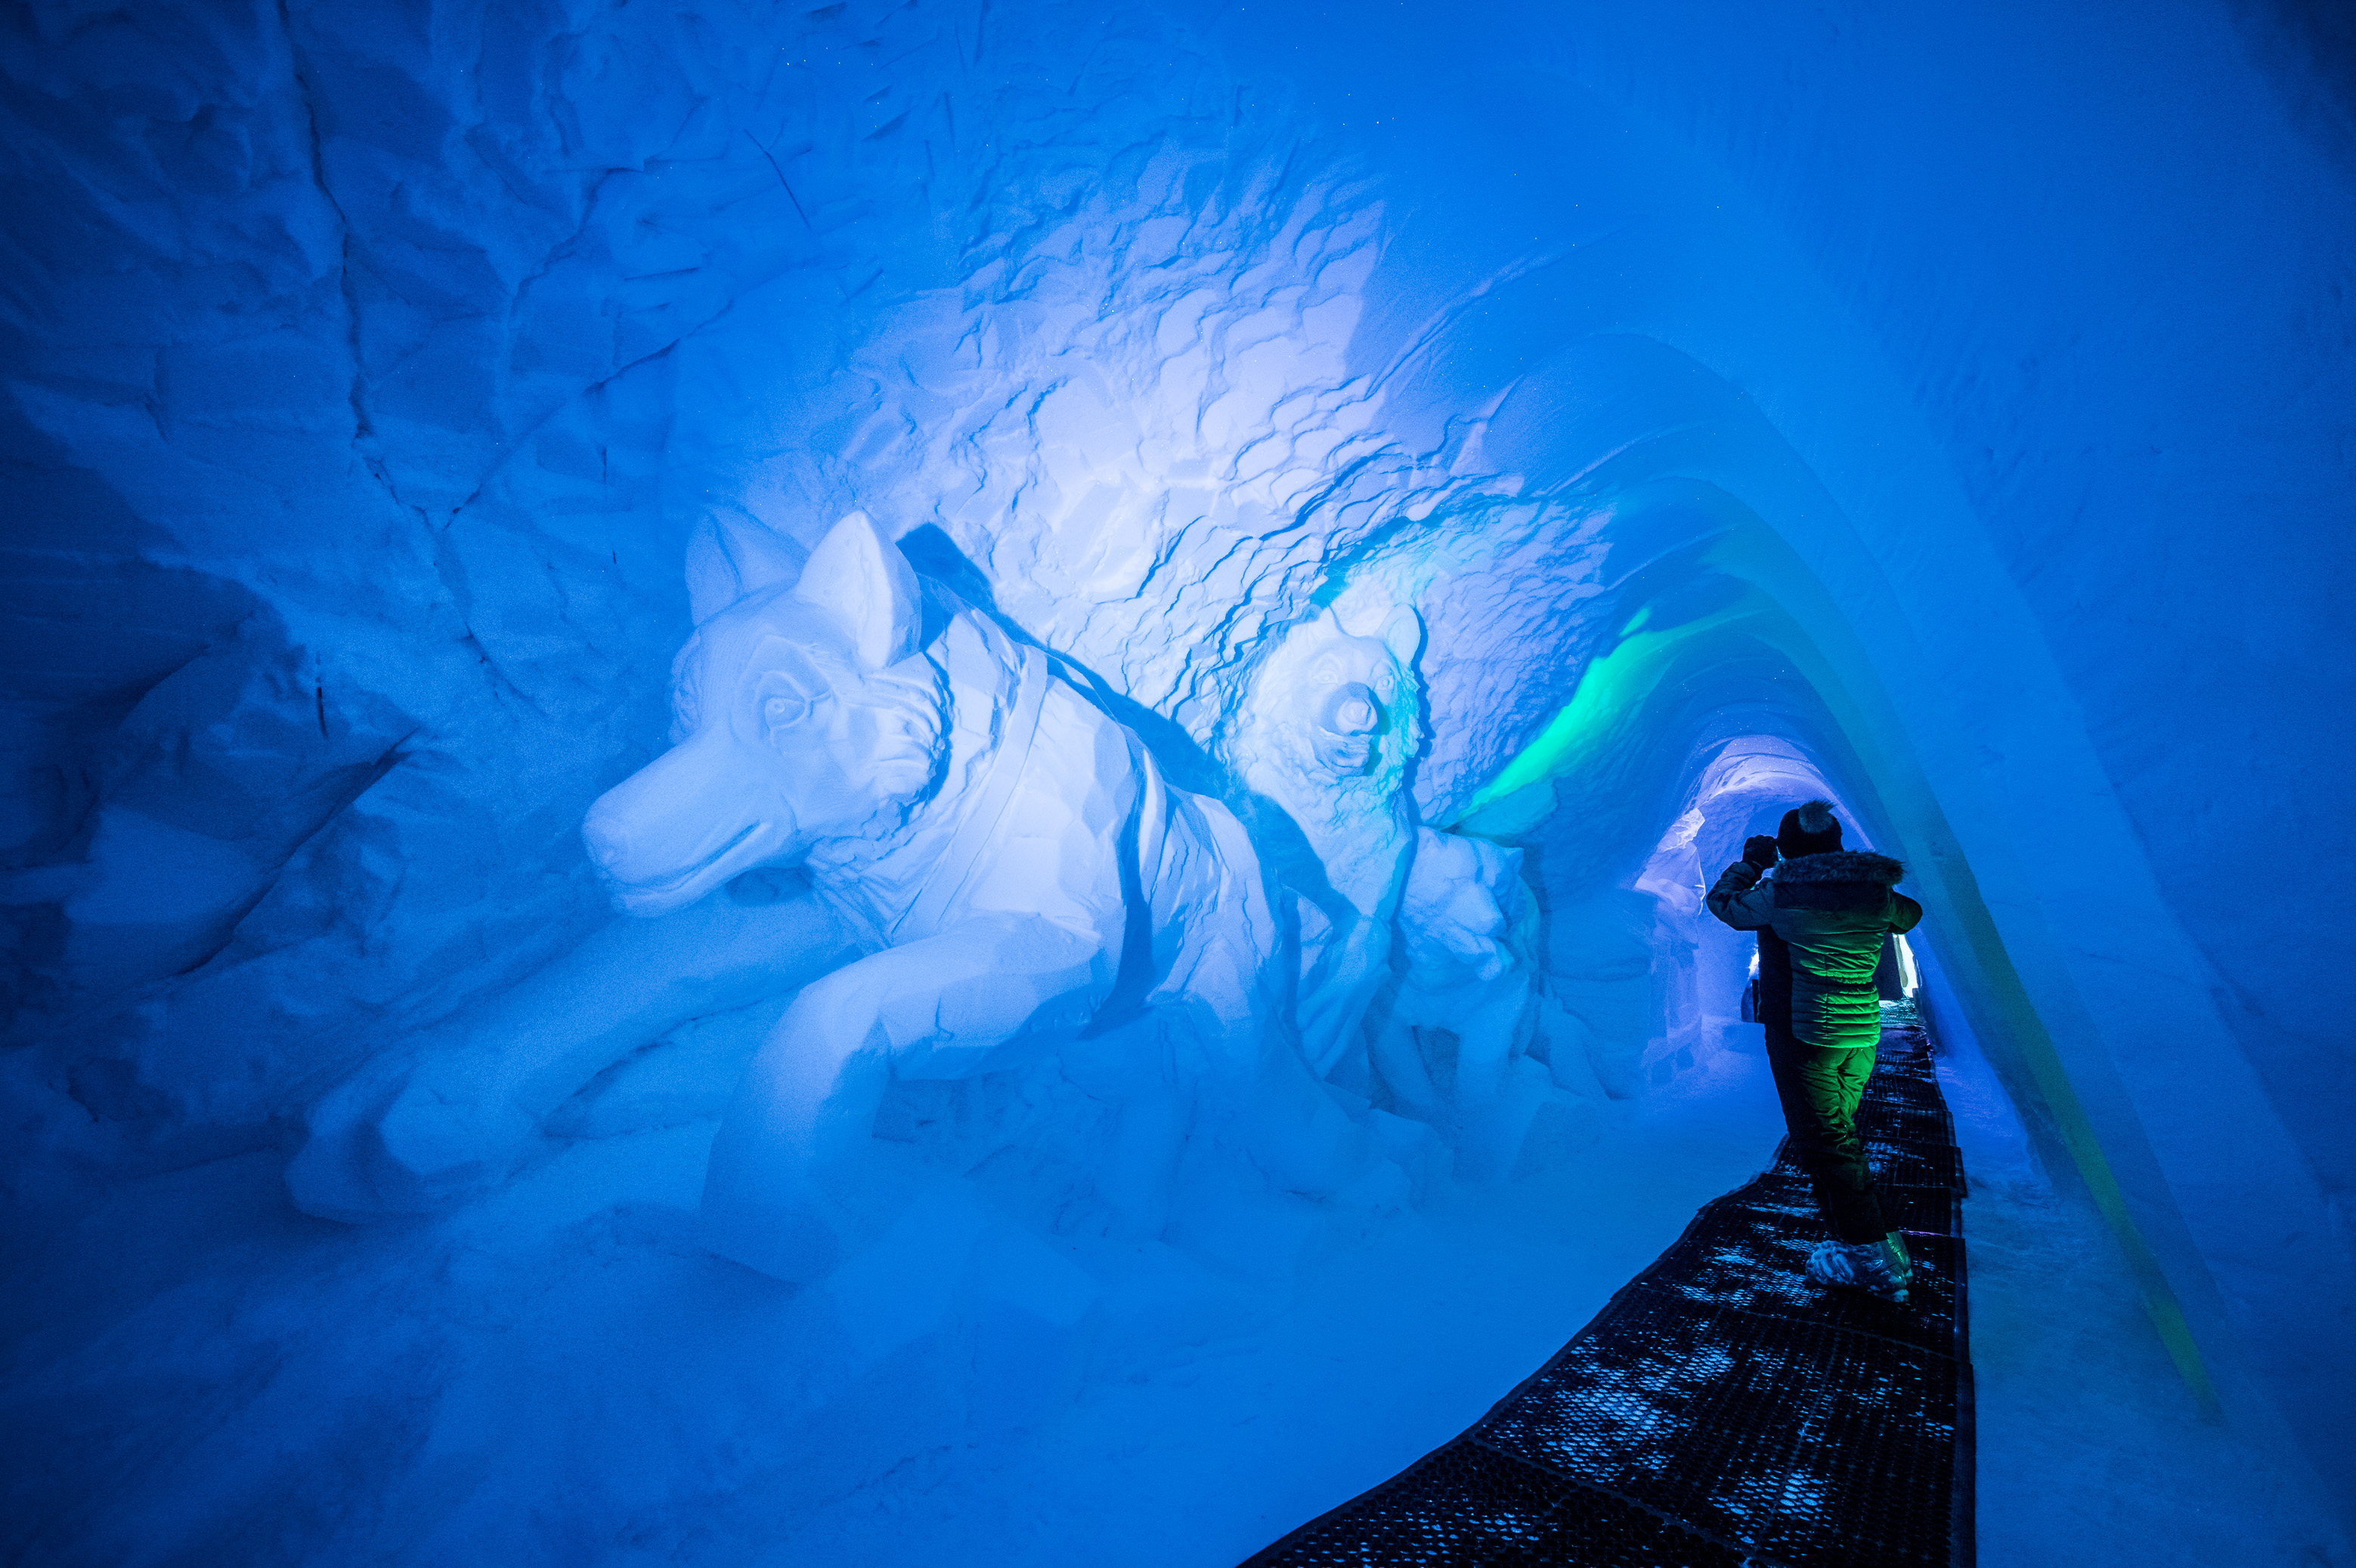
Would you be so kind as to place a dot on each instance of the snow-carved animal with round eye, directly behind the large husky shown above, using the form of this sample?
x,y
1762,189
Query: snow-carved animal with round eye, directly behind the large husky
x,y
1325,740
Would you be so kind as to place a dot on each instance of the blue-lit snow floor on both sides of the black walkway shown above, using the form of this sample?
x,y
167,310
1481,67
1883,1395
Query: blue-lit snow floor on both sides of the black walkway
x,y
197,1376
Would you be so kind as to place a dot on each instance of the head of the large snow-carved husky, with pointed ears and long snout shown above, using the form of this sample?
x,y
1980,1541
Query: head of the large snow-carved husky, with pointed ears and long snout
x,y
802,715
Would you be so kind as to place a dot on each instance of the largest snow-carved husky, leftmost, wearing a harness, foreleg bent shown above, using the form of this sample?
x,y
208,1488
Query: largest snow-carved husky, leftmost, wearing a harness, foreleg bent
x,y
1028,877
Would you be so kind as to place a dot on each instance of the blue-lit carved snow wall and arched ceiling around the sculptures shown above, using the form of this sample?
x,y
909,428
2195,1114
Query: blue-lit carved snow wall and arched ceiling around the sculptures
x,y
1961,401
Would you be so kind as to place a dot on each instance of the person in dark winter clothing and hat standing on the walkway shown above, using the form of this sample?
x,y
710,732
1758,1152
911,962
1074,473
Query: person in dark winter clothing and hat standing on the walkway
x,y
1822,917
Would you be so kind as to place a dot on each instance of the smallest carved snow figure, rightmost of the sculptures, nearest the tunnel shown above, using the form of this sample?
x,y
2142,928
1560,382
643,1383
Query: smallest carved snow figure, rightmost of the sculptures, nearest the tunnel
x,y
1450,1035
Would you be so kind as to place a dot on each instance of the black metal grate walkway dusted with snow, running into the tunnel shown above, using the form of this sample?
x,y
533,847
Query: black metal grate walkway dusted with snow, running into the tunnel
x,y
1723,1409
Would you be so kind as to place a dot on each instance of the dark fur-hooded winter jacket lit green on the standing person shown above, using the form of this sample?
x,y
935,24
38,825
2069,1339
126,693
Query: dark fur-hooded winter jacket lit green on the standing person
x,y
1832,910
